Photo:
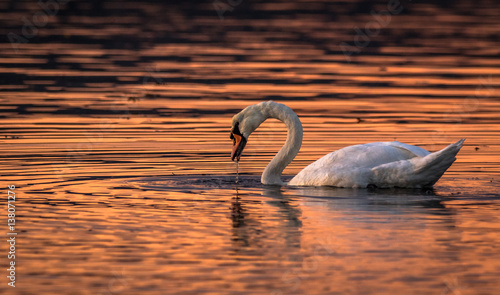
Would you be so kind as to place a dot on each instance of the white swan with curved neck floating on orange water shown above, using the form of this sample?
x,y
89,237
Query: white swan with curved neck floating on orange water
x,y
380,164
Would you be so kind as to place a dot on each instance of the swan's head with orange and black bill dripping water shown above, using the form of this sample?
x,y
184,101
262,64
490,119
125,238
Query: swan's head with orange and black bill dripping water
x,y
244,123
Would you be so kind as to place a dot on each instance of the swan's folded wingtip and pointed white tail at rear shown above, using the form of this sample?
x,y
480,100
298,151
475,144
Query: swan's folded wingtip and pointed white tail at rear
x,y
418,171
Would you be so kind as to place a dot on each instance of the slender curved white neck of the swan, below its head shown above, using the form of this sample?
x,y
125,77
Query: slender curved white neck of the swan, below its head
x,y
272,173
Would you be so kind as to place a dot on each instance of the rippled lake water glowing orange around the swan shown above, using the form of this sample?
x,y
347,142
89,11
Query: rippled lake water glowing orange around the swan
x,y
115,124
